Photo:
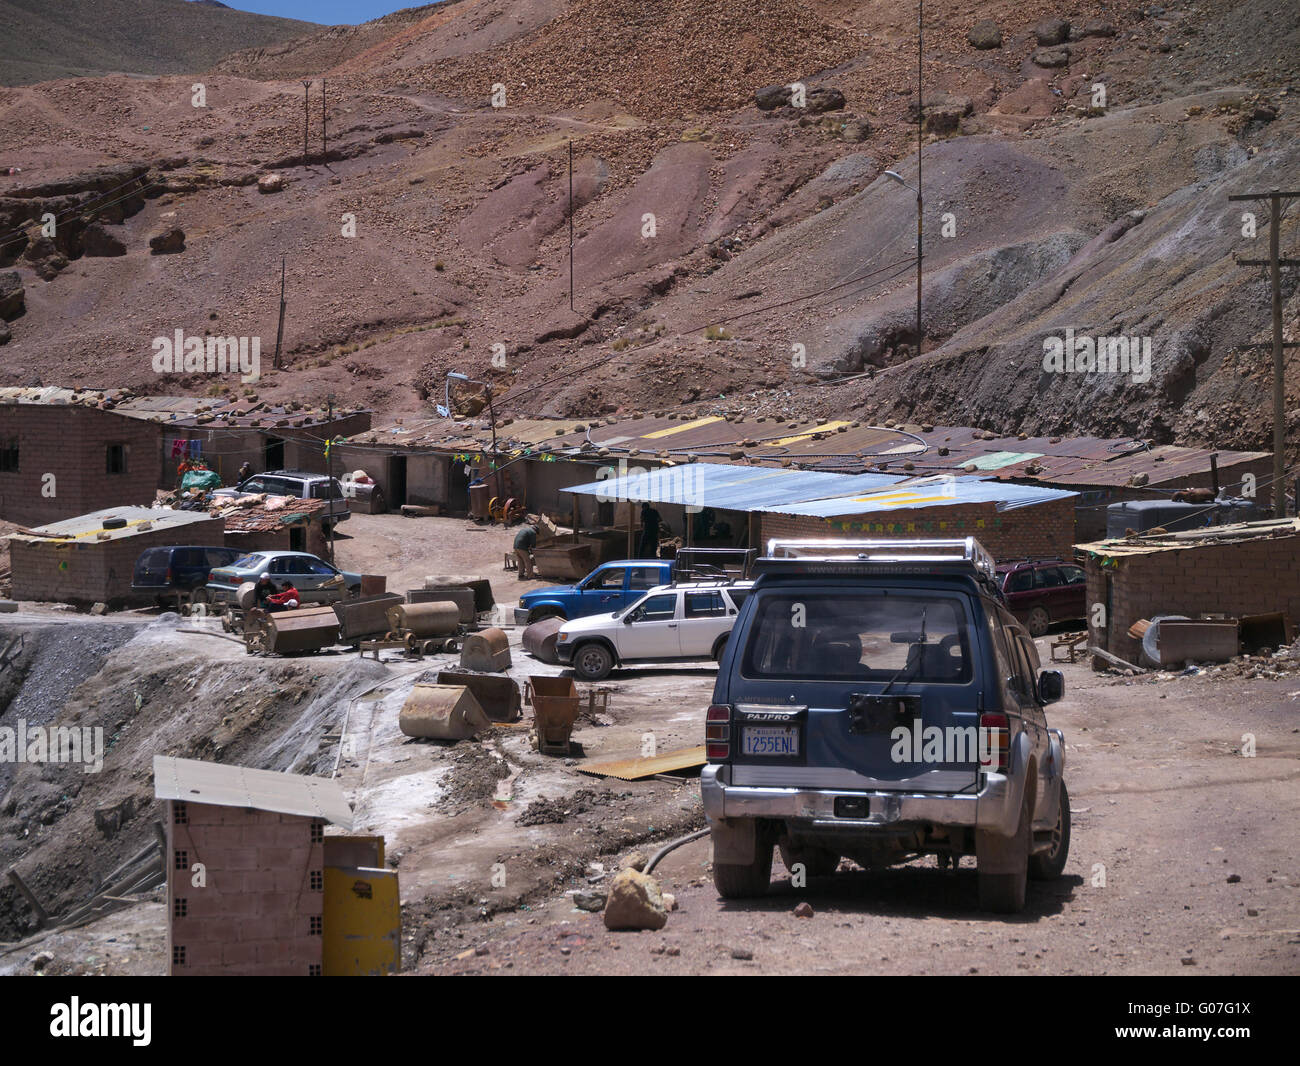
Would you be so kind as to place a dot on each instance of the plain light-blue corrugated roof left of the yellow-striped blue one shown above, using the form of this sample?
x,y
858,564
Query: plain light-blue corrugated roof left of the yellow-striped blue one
x,y
730,487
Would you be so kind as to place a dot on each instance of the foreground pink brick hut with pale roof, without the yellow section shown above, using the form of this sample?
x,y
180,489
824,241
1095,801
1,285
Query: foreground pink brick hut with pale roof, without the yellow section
x,y
258,905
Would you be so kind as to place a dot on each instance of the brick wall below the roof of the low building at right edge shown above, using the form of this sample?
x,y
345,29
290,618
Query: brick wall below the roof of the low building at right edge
x,y
1250,578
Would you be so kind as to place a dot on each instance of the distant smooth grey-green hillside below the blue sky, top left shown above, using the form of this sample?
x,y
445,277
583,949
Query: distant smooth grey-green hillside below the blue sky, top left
x,y
76,38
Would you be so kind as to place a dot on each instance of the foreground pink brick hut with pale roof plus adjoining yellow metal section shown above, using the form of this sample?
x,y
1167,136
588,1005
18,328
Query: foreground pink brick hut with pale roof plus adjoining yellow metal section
x,y
255,889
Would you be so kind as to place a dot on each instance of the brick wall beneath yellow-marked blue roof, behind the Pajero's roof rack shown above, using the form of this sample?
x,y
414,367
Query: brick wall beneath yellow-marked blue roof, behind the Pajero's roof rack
x,y
1041,530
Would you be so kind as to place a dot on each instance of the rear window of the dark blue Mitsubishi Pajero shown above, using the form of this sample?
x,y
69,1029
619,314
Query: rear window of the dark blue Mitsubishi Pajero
x,y
859,638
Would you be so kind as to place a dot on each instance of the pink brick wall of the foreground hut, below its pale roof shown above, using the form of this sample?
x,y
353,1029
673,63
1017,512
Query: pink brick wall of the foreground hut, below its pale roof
x,y
265,887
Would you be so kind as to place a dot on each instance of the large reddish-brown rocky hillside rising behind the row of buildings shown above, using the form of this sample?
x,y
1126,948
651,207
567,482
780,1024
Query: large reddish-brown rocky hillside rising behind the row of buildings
x,y
733,250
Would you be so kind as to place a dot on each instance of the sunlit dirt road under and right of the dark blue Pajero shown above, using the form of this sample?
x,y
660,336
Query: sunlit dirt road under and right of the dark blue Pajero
x,y
1182,863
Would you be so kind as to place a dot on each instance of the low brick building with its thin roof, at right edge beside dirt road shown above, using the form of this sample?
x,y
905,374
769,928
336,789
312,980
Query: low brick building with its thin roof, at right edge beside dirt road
x,y
1253,569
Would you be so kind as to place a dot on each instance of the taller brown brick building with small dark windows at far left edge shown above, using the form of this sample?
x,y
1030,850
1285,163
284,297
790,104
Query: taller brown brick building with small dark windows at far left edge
x,y
64,457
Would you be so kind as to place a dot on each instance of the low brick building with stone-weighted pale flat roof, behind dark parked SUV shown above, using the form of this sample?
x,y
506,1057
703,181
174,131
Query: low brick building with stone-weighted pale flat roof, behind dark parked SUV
x,y
83,561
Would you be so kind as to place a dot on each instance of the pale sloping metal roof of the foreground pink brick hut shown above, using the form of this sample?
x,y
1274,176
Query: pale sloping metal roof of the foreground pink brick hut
x,y
196,782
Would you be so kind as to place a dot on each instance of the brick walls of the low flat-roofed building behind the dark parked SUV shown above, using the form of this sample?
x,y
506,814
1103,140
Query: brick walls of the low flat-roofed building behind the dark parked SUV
x,y
90,571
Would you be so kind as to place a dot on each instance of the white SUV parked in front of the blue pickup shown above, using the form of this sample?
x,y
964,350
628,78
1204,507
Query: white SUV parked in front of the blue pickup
x,y
670,623
